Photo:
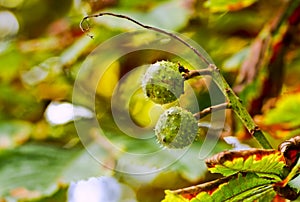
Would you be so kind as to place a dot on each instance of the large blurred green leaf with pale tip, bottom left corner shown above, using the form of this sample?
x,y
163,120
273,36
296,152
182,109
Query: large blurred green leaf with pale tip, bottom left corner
x,y
40,170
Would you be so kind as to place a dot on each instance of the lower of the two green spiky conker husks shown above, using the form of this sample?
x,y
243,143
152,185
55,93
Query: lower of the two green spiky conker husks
x,y
176,128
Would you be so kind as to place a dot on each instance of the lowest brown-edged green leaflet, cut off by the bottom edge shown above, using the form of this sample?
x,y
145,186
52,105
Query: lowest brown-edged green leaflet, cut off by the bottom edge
x,y
239,187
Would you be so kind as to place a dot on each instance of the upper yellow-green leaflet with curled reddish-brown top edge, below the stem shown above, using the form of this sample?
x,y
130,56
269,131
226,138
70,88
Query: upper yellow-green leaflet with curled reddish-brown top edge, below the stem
x,y
268,163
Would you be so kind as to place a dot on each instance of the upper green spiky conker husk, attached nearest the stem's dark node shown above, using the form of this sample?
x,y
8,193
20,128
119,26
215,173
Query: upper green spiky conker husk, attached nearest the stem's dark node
x,y
162,82
